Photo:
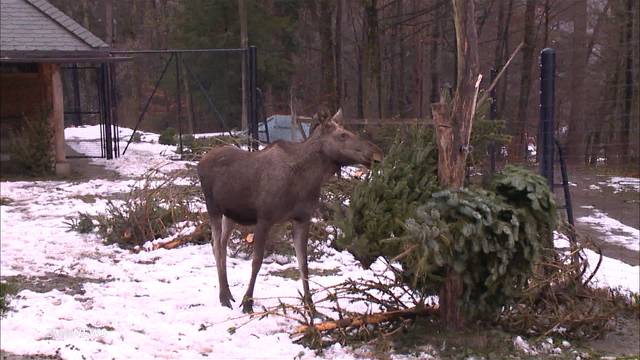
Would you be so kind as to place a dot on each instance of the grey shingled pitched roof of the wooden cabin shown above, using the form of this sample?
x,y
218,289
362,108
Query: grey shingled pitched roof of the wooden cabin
x,y
36,30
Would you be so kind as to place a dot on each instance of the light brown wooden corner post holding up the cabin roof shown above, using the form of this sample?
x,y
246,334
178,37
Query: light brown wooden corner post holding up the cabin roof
x,y
53,96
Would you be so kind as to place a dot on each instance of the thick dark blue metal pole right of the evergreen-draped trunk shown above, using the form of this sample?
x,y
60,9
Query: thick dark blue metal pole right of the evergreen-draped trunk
x,y
547,101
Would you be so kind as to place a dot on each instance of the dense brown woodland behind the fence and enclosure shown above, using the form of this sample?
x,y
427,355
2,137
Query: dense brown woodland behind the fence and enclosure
x,y
383,59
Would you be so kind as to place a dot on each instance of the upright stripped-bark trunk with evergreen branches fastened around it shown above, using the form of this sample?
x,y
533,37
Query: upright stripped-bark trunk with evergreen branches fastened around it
x,y
453,131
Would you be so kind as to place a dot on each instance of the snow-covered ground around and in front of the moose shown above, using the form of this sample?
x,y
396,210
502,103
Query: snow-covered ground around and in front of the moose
x,y
161,303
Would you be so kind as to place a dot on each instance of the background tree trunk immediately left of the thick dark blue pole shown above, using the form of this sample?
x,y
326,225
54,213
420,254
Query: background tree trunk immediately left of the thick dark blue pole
x,y
519,129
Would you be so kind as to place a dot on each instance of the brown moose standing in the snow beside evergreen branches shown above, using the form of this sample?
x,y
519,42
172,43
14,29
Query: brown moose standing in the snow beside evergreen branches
x,y
280,183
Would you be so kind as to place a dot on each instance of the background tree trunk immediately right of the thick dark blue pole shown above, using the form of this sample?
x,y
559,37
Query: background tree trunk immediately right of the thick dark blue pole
x,y
575,147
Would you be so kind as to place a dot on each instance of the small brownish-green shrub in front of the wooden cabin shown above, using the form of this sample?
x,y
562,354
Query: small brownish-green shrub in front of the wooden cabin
x,y
31,148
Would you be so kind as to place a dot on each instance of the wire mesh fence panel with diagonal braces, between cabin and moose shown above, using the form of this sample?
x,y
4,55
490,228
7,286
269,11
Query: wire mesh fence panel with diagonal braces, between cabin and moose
x,y
186,92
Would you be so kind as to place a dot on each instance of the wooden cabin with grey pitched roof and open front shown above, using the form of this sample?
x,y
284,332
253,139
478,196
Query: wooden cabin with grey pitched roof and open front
x,y
35,40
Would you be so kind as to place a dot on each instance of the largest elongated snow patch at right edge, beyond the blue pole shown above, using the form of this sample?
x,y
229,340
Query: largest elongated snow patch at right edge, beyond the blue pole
x,y
615,231
